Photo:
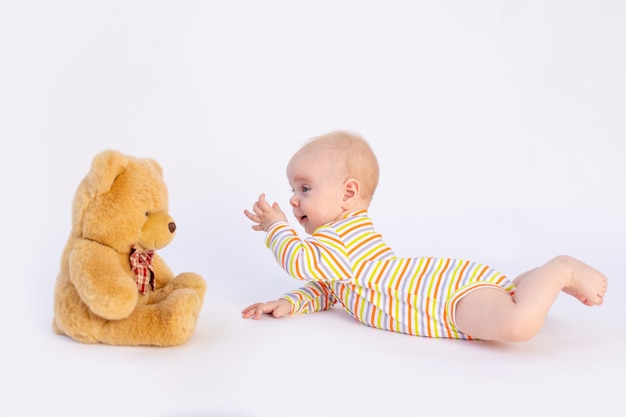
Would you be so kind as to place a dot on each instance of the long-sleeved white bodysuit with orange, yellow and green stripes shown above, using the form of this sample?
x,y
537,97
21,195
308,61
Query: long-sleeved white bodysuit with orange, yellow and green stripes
x,y
347,262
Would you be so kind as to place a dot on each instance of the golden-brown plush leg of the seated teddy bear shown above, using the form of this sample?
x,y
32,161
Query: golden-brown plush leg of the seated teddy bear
x,y
168,323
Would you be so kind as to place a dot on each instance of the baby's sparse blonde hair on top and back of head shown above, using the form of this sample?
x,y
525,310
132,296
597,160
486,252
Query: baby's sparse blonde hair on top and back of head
x,y
360,160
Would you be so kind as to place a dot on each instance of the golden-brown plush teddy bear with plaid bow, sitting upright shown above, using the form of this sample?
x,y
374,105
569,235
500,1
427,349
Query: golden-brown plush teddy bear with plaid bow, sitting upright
x,y
112,287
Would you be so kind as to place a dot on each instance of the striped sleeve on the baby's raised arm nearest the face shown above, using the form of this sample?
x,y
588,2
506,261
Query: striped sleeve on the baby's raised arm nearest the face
x,y
321,257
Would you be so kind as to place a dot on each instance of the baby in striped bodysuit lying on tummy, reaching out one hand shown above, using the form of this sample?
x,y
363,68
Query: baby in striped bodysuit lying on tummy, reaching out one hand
x,y
346,261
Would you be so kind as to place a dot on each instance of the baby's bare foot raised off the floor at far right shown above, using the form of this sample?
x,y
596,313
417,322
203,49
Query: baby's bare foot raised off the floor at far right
x,y
587,284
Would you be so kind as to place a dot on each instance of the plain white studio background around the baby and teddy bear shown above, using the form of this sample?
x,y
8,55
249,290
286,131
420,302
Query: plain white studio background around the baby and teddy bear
x,y
500,131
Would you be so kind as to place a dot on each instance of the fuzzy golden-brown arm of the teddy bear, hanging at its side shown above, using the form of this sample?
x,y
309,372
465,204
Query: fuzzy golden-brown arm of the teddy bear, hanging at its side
x,y
105,286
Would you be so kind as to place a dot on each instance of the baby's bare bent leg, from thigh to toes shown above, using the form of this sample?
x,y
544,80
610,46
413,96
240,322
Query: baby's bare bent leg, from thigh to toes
x,y
491,314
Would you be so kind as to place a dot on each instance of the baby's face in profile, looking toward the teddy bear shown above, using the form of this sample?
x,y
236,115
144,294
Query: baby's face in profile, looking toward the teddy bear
x,y
317,181
